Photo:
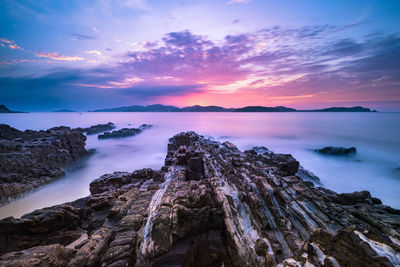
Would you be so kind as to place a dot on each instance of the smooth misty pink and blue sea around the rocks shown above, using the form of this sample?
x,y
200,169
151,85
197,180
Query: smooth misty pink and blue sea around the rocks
x,y
376,167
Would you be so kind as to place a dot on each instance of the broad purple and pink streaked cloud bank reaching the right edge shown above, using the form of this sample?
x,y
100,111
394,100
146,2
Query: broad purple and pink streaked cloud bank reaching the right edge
x,y
277,62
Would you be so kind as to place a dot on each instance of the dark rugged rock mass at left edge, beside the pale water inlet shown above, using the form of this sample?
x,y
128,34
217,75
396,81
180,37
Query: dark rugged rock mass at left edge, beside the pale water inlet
x,y
33,158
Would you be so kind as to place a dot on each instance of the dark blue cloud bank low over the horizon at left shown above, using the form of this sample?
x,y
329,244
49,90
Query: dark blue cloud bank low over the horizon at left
x,y
81,89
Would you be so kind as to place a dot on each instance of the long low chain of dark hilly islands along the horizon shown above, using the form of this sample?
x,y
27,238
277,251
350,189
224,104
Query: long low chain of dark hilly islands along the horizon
x,y
198,108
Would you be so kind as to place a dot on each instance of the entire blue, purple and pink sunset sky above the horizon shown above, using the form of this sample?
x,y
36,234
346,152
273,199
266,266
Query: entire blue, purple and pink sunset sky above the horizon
x,y
86,55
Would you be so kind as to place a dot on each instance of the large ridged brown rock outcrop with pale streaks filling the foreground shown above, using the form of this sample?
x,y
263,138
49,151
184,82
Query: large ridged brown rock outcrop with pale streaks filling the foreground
x,y
211,205
